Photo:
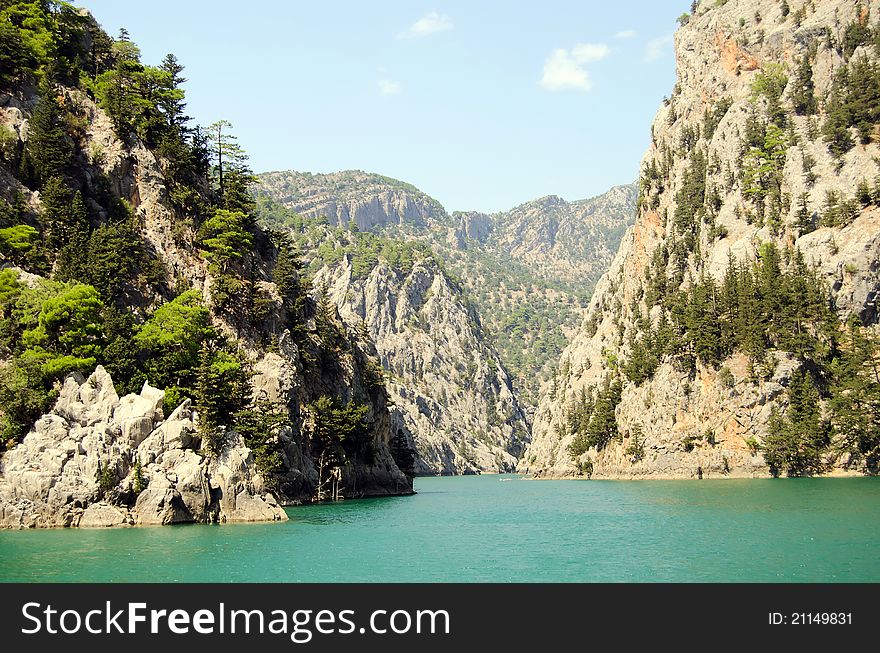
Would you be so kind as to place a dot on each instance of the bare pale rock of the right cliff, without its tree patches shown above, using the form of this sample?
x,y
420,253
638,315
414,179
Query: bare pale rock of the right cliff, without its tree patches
x,y
703,422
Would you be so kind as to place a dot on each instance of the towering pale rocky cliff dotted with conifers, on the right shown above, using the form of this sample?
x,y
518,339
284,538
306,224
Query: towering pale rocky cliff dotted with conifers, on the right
x,y
757,152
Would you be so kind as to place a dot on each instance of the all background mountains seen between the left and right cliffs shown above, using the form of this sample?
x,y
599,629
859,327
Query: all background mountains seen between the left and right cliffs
x,y
441,293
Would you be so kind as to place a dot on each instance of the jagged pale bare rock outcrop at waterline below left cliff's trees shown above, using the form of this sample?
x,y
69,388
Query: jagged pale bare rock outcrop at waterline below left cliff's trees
x,y
77,467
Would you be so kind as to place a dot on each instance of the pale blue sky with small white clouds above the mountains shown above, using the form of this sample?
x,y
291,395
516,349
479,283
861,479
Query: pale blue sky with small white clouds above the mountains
x,y
483,105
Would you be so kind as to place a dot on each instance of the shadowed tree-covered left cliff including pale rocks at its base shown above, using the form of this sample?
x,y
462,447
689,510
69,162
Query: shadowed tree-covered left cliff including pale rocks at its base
x,y
154,239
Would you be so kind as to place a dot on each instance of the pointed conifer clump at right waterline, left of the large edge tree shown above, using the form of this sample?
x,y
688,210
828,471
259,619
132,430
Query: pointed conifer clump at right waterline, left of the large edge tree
x,y
796,441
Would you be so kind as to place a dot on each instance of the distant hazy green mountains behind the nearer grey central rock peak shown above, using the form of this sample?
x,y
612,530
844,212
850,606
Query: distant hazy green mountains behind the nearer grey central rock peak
x,y
529,271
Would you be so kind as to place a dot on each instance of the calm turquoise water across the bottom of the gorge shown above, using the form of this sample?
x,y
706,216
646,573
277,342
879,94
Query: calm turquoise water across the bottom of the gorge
x,y
500,528
